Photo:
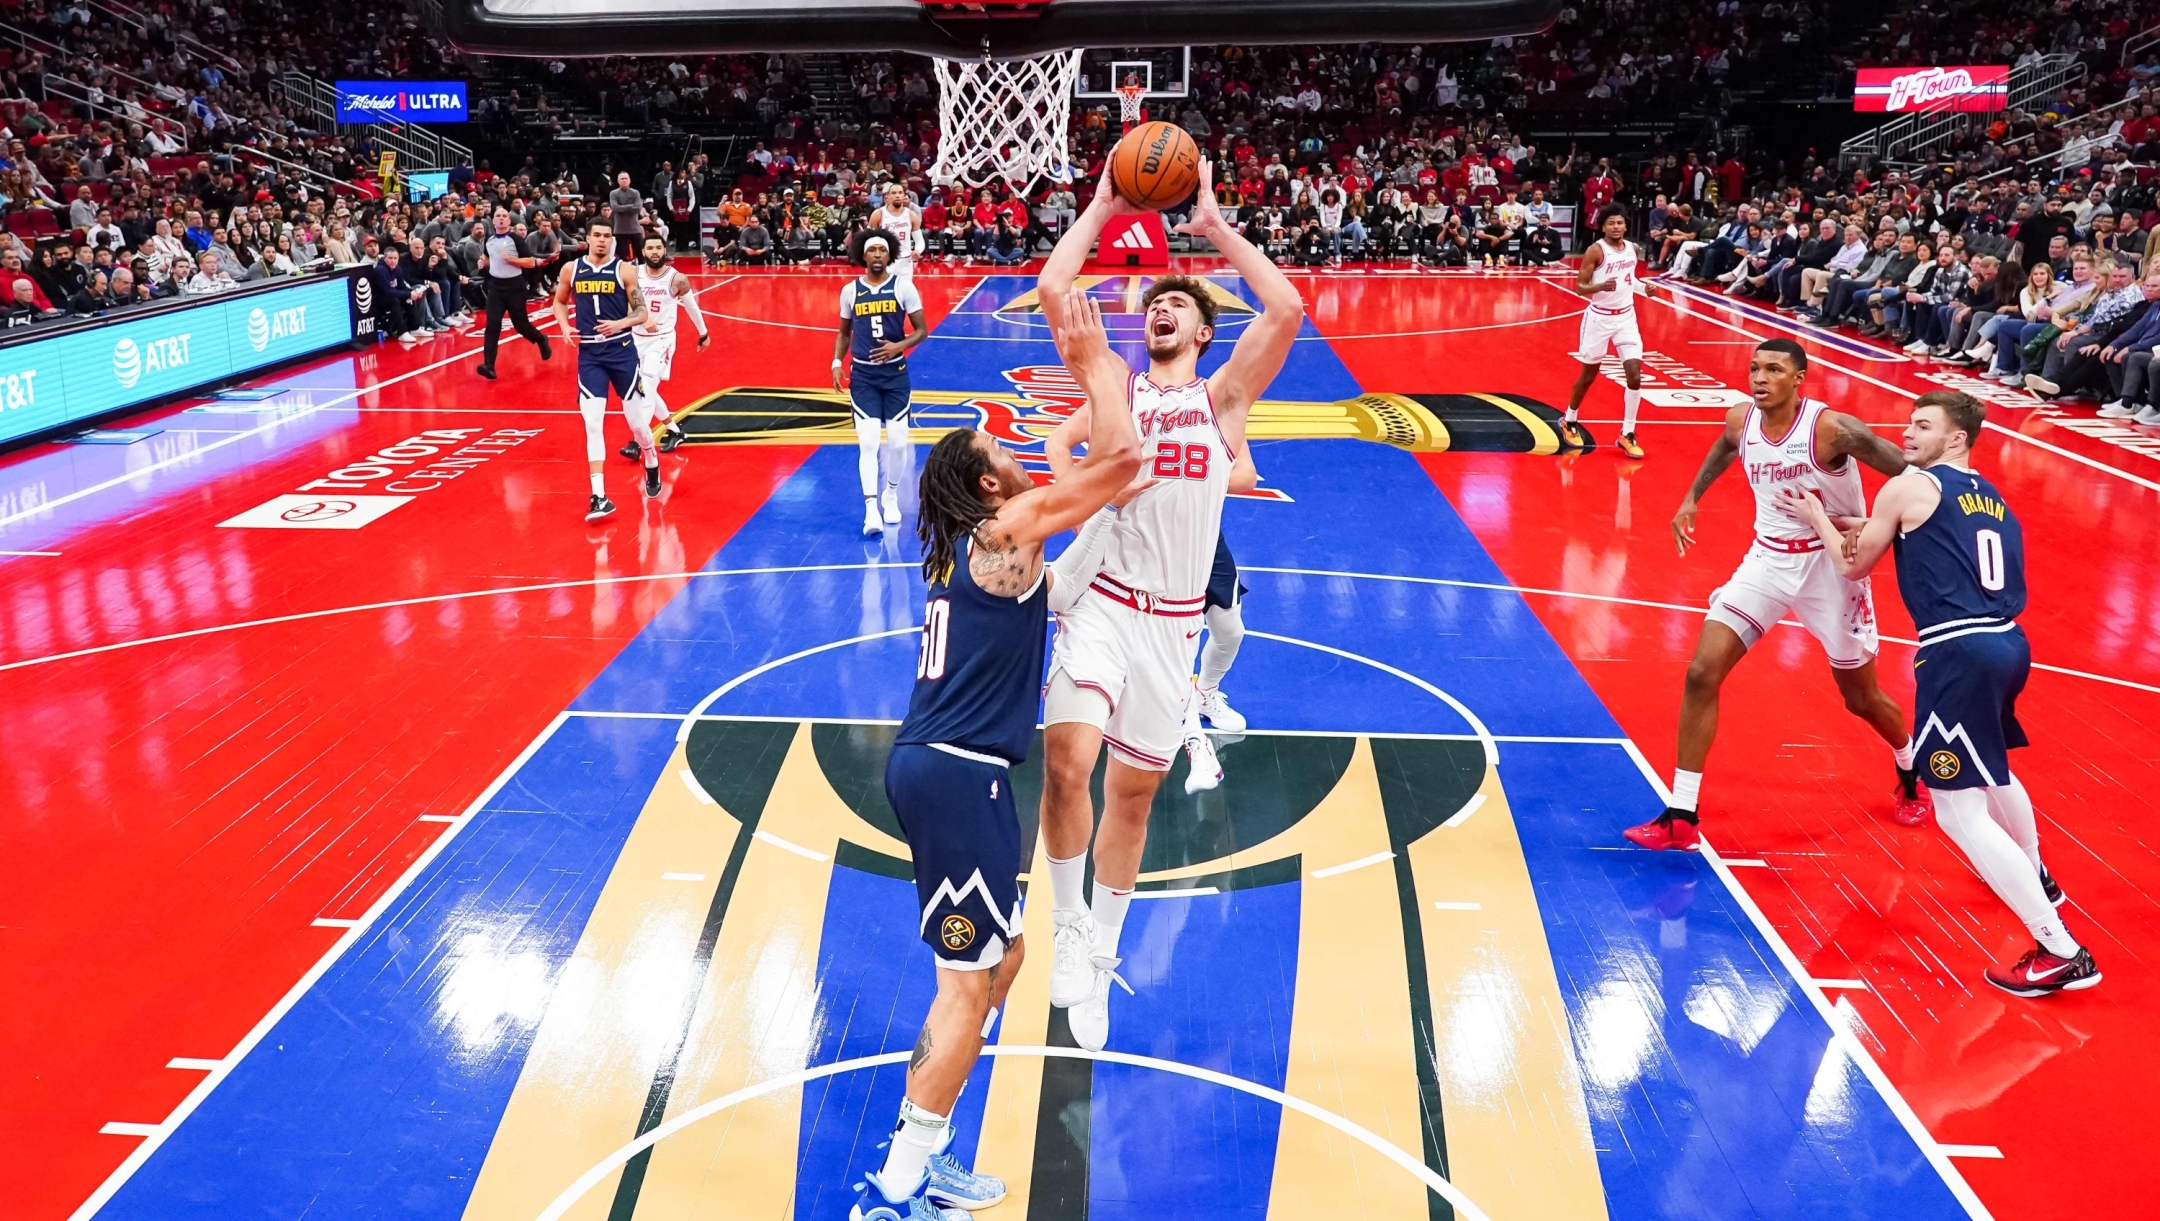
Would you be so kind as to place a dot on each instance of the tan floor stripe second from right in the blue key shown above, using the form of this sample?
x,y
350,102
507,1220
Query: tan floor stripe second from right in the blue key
x,y
1351,1043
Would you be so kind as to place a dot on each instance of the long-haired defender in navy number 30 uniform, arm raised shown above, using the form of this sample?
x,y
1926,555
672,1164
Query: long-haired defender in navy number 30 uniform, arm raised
x,y
969,723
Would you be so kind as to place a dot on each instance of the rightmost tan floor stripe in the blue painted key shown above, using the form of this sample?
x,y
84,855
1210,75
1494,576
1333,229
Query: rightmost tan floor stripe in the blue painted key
x,y
1517,1123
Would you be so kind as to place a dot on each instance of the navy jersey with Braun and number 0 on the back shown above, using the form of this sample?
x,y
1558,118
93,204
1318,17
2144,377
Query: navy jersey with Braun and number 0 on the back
x,y
1967,561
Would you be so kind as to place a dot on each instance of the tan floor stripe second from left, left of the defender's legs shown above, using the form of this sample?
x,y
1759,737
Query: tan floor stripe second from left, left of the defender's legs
x,y
759,1012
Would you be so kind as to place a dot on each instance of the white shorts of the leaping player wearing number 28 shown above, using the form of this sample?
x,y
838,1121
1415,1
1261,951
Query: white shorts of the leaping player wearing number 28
x,y
1142,667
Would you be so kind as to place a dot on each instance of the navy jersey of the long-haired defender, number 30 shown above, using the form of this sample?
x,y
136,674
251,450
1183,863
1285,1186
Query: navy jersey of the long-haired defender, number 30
x,y
980,675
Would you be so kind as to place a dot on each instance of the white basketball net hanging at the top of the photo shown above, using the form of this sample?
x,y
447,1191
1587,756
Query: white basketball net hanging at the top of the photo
x,y
1005,120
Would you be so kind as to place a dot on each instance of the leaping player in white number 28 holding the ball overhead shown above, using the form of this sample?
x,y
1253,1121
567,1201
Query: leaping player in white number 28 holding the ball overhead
x,y
1122,667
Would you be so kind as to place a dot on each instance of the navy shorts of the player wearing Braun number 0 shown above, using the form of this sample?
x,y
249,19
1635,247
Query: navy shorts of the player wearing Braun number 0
x,y
1965,712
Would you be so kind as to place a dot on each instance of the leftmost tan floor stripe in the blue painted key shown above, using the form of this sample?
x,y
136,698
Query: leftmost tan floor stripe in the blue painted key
x,y
597,1049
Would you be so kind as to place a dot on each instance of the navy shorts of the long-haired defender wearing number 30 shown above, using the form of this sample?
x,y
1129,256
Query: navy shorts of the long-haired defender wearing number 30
x,y
964,833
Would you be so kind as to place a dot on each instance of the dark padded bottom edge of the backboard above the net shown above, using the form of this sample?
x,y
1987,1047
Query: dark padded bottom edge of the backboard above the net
x,y
958,29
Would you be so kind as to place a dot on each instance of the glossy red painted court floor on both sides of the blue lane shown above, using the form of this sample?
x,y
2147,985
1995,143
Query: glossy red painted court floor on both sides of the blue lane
x,y
228,744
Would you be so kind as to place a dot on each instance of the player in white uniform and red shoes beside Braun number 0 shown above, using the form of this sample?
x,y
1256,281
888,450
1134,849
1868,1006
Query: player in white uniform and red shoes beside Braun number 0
x,y
1785,444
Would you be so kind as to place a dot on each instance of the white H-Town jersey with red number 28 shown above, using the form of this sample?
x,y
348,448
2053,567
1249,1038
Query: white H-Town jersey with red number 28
x,y
1165,539
